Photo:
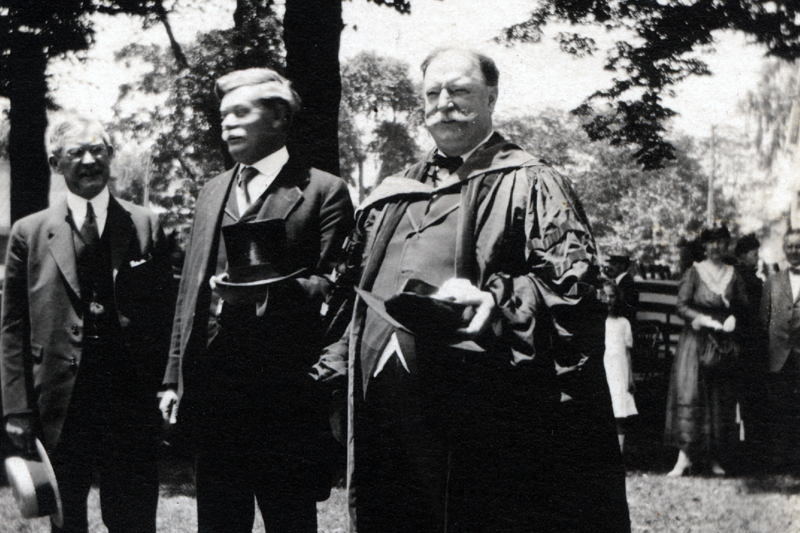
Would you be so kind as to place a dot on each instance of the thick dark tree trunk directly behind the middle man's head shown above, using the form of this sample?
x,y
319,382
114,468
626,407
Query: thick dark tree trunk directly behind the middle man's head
x,y
311,33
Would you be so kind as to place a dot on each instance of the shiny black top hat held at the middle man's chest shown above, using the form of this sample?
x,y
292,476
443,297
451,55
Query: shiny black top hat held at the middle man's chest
x,y
257,258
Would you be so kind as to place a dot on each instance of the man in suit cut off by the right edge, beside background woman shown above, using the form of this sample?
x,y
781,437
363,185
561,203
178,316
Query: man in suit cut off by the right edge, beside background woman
x,y
780,313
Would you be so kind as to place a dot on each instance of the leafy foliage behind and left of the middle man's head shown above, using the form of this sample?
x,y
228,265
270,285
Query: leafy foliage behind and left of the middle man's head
x,y
188,149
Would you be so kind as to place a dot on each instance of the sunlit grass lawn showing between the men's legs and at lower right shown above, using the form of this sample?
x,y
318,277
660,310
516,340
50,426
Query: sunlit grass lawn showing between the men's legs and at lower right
x,y
657,503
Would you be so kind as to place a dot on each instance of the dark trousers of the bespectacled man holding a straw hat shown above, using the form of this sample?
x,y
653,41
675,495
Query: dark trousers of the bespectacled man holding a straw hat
x,y
110,432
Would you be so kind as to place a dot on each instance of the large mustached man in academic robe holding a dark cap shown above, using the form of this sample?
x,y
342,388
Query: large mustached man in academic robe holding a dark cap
x,y
444,436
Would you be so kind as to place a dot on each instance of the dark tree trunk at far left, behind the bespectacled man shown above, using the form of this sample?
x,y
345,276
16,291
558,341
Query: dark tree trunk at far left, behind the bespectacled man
x,y
30,172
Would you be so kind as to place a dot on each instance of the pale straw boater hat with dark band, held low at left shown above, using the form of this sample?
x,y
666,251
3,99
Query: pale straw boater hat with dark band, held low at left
x,y
34,485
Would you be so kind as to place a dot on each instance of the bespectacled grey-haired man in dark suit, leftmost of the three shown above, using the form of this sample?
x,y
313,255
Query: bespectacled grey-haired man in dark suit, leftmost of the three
x,y
85,300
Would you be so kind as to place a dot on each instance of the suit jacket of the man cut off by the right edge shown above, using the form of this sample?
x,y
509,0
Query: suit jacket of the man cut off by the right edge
x,y
776,315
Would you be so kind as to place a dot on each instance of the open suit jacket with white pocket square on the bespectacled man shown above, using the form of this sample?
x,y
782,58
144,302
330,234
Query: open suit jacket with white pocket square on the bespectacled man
x,y
42,322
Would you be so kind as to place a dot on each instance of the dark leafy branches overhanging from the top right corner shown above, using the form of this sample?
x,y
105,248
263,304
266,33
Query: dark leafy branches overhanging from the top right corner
x,y
657,54
